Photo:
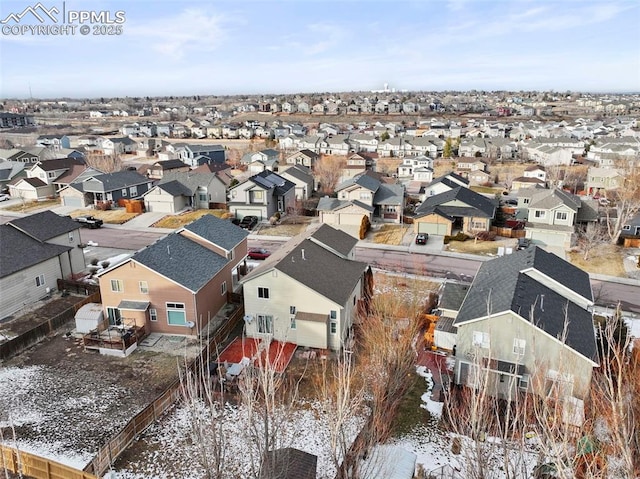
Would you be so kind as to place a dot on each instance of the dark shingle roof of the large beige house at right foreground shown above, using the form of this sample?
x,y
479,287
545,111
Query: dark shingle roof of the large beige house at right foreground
x,y
502,284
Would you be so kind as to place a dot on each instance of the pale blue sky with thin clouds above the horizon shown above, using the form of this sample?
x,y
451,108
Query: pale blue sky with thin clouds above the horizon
x,y
224,47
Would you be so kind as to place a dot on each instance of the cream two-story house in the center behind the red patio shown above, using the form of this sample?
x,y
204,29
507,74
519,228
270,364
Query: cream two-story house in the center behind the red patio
x,y
309,292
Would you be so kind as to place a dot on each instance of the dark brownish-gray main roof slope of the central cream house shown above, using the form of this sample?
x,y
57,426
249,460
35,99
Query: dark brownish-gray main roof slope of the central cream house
x,y
324,272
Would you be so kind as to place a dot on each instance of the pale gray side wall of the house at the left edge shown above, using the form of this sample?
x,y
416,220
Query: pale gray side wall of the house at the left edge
x,y
19,289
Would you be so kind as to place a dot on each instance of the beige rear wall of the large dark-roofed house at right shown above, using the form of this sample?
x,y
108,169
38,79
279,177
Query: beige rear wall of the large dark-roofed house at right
x,y
542,353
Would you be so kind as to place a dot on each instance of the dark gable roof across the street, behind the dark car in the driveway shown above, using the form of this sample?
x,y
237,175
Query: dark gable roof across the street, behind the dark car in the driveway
x,y
478,205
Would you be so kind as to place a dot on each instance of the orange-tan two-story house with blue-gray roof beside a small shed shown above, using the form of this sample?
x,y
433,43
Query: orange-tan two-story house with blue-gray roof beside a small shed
x,y
177,284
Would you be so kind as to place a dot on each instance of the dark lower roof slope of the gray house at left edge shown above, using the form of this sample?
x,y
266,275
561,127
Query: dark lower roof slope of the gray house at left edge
x,y
20,251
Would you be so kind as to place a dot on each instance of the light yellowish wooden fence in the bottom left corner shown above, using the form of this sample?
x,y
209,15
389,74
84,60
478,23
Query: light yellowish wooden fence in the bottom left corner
x,y
23,463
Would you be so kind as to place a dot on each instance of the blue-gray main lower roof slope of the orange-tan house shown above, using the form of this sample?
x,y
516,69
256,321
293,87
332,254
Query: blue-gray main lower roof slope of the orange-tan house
x,y
181,260
